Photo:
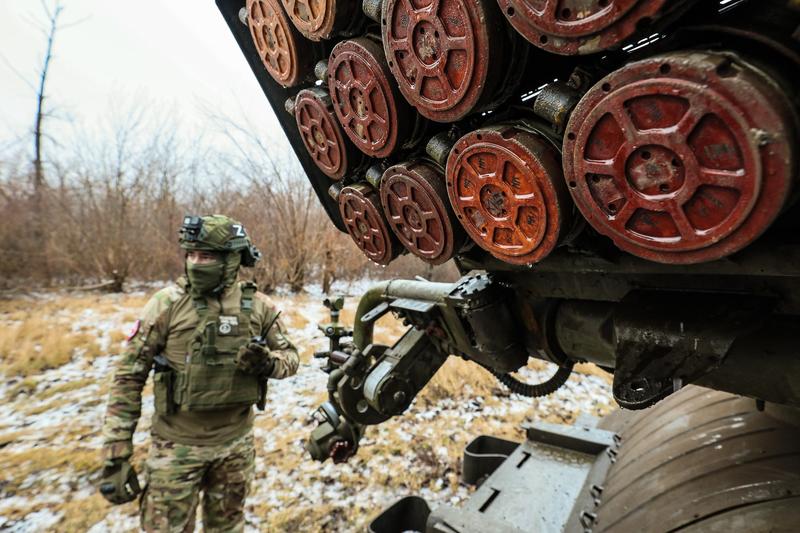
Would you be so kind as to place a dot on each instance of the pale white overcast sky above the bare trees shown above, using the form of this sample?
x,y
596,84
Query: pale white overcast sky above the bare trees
x,y
177,54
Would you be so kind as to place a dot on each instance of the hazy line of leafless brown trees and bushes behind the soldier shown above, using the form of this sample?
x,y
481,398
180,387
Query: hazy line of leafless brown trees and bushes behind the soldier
x,y
110,203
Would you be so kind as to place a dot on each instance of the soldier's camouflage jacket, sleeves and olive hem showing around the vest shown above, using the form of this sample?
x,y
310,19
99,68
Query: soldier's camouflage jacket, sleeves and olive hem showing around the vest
x,y
168,320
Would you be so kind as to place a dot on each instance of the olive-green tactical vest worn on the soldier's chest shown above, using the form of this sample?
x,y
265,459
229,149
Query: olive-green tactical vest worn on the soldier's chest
x,y
210,379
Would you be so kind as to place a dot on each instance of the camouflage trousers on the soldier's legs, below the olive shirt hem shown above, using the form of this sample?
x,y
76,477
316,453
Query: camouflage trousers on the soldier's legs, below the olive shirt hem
x,y
177,473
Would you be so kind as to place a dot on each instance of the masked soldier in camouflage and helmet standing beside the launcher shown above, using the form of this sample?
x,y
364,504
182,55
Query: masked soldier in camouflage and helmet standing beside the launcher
x,y
212,343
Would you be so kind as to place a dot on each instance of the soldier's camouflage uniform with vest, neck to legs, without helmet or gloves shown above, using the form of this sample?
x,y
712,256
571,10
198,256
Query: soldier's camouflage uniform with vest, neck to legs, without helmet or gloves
x,y
202,436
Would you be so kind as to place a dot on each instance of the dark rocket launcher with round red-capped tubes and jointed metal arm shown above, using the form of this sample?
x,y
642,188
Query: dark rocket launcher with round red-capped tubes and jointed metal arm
x,y
616,181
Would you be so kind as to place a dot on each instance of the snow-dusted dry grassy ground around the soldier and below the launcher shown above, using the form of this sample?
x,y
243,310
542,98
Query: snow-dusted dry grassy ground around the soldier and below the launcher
x,y
50,440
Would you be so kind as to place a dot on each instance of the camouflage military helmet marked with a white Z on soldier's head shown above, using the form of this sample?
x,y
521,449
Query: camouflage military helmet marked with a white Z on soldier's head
x,y
218,233
